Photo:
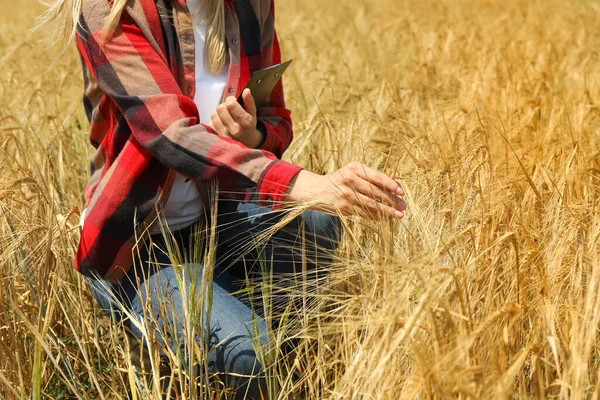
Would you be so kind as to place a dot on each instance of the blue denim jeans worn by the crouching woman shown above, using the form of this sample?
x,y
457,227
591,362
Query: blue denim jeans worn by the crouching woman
x,y
294,251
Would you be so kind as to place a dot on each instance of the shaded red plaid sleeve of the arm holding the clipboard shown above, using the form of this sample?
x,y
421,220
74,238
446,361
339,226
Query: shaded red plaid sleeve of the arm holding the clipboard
x,y
276,118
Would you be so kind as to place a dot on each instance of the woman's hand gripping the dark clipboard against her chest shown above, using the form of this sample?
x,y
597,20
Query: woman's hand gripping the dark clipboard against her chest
x,y
237,122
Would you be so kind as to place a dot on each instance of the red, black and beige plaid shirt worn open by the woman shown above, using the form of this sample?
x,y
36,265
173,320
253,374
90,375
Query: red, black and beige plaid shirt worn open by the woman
x,y
139,90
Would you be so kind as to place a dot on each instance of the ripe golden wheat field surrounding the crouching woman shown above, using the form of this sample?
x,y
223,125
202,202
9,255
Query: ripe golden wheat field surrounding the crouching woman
x,y
488,112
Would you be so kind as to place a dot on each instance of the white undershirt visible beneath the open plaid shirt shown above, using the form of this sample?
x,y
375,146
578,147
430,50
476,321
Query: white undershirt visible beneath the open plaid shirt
x,y
184,206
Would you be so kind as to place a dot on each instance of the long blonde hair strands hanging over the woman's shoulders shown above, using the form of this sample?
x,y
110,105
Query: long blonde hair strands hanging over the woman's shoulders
x,y
65,14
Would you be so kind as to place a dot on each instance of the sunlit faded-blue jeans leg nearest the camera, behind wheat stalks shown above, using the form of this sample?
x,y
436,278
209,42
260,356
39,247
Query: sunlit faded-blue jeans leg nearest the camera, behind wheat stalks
x,y
230,353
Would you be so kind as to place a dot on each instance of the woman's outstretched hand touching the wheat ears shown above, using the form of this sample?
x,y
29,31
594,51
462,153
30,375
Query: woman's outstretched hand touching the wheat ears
x,y
353,190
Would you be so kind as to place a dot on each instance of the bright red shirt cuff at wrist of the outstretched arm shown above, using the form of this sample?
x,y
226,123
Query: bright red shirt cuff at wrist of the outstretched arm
x,y
274,183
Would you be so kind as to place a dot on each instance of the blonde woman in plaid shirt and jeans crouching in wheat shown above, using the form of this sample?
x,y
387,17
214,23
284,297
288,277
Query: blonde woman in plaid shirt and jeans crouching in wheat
x,y
155,73
